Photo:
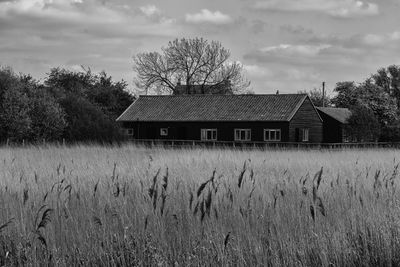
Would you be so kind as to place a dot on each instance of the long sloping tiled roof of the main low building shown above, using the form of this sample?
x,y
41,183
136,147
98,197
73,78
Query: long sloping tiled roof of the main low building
x,y
214,108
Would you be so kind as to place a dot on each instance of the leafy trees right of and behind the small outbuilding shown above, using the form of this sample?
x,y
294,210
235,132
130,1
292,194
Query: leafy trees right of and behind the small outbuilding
x,y
375,105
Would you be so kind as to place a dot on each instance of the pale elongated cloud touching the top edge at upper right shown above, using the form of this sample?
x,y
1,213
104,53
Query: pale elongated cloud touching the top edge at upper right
x,y
335,8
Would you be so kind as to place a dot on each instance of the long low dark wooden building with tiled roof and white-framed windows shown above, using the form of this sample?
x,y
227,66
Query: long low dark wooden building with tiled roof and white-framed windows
x,y
242,118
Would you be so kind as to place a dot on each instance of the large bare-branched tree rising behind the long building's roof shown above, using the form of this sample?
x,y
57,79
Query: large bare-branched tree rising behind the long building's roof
x,y
204,68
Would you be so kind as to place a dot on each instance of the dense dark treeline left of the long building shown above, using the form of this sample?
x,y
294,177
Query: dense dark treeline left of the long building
x,y
69,105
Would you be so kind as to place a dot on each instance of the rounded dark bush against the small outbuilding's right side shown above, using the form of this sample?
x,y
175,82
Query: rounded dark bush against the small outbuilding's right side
x,y
363,125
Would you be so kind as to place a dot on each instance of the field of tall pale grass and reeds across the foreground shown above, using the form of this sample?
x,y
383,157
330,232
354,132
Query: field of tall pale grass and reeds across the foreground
x,y
135,206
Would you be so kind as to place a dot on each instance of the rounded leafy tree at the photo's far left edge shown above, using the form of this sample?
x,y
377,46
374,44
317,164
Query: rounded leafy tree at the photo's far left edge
x,y
27,111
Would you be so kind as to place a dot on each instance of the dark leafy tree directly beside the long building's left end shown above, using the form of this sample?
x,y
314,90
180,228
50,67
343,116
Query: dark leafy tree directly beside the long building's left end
x,y
91,102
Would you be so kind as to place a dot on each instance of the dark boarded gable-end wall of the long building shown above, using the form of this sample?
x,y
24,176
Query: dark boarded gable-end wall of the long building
x,y
306,117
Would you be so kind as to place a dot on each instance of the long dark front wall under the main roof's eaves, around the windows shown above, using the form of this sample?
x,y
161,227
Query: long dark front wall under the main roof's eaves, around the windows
x,y
192,130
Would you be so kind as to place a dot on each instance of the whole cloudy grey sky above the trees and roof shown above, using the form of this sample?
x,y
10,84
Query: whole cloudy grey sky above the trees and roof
x,y
285,45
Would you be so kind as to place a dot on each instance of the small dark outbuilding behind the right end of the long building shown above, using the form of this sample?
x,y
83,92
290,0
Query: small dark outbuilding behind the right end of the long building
x,y
335,124
